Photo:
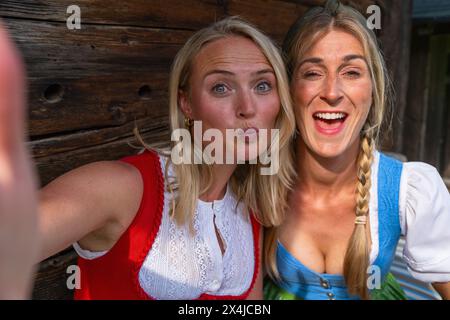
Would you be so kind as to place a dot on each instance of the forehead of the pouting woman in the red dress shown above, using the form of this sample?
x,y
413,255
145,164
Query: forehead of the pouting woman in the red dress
x,y
232,52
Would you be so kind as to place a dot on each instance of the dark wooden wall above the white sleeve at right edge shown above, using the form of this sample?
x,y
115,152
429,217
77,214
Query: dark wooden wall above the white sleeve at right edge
x,y
427,121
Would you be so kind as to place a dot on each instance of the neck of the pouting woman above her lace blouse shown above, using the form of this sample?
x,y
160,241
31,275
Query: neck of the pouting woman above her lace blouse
x,y
221,174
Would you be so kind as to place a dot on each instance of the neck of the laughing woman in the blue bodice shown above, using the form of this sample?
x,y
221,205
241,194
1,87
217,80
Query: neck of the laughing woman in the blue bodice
x,y
321,176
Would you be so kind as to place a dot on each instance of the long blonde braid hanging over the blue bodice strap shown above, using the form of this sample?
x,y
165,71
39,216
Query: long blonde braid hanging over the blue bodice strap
x,y
356,259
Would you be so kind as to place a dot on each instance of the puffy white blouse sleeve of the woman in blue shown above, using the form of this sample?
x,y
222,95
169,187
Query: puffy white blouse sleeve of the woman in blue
x,y
425,222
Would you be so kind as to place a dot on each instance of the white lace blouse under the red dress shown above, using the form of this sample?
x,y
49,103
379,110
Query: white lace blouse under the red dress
x,y
181,265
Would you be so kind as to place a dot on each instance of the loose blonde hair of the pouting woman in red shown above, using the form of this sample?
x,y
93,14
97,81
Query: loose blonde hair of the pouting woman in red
x,y
264,195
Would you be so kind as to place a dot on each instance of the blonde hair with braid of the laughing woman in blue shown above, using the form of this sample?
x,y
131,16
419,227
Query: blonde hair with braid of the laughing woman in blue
x,y
311,27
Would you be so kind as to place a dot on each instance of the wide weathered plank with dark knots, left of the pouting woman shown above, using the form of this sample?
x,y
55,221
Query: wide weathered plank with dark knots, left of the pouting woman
x,y
101,72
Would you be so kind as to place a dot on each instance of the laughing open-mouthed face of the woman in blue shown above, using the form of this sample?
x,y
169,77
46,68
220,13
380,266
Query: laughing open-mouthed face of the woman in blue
x,y
332,92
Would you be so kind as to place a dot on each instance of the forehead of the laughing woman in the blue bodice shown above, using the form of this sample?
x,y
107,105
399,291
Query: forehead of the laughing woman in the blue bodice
x,y
335,45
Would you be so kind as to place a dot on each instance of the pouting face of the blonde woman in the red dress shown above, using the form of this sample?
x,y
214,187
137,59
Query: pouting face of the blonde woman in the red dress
x,y
232,86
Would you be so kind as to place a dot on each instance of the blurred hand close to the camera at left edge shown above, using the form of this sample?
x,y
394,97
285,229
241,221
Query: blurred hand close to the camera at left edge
x,y
19,243
